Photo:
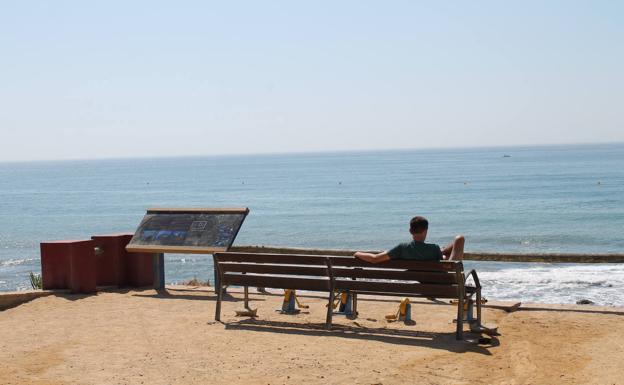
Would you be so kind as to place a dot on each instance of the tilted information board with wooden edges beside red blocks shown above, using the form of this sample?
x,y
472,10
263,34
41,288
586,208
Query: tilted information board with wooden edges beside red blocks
x,y
183,230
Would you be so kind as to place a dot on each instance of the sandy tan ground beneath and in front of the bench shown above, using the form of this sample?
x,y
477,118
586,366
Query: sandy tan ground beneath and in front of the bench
x,y
142,337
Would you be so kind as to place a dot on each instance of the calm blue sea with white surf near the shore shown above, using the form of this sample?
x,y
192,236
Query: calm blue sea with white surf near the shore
x,y
545,199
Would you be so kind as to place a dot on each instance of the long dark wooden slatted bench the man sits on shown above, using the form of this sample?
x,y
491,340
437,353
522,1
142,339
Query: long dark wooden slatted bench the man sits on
x,y
445,280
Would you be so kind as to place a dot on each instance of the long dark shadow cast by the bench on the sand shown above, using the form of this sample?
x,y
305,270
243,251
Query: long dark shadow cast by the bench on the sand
x,y
442,341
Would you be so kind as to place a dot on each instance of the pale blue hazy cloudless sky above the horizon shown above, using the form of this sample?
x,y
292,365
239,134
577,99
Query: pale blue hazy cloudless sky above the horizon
x,y
95,79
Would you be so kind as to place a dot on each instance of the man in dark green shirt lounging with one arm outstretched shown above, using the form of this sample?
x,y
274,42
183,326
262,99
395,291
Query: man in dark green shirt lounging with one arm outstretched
x,y
417,249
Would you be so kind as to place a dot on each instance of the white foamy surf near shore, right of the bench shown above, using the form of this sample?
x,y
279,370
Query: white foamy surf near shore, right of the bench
x,y
603,284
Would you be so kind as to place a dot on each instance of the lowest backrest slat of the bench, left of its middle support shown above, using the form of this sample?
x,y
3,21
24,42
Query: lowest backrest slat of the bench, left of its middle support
x,y
276,282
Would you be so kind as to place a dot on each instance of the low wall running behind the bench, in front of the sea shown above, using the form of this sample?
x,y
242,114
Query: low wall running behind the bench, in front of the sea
x,y
498,257
